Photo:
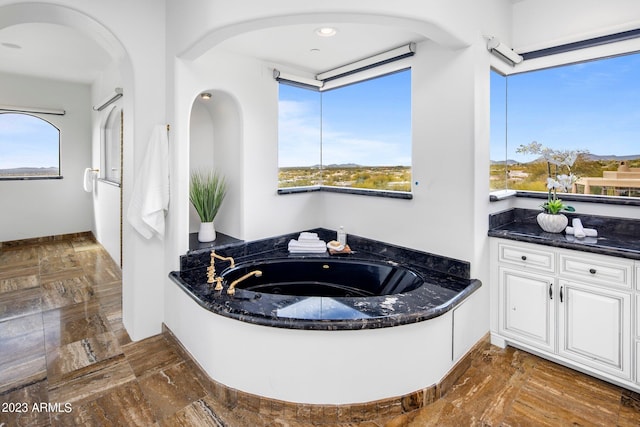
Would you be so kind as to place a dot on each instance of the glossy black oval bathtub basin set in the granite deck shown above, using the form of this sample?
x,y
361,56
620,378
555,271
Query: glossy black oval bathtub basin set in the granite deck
x,y
324,277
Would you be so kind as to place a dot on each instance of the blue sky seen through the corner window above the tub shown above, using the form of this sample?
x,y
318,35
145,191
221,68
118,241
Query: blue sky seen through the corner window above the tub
x,y
367,123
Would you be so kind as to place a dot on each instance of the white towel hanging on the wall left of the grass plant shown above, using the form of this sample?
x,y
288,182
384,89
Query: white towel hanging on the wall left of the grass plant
x,y
150,198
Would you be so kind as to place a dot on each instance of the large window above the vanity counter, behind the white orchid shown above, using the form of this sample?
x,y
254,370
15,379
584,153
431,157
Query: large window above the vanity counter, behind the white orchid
x,y
591,109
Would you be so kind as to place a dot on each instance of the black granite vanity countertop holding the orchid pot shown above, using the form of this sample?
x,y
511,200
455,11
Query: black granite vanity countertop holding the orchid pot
x,y
616,236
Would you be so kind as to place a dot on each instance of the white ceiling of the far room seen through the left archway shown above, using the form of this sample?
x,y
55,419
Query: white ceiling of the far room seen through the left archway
x,y
51,51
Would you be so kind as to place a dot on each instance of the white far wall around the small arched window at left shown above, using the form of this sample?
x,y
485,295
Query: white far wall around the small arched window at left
x,y
37,208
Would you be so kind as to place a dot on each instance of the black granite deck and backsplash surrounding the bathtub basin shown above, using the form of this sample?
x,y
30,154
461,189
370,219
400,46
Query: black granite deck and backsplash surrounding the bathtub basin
x,y
446,284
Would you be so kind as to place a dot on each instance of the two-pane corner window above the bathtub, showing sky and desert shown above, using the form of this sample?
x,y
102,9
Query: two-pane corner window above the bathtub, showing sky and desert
x,y
354,136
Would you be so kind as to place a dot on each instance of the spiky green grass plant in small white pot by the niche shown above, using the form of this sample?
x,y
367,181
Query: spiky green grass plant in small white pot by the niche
x,y
207,190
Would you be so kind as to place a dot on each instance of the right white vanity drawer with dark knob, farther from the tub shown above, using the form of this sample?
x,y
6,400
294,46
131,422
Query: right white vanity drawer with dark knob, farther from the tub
x,y
602,269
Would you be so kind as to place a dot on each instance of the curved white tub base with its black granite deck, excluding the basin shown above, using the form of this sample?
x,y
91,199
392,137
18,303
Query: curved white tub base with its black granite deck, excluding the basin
x,y
320,347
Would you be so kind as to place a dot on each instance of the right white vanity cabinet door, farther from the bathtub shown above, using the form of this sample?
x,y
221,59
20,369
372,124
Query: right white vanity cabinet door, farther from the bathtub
x,y
594,328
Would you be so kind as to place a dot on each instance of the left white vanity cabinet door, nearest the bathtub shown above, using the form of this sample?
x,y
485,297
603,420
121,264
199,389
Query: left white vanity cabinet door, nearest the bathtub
x,y
526,307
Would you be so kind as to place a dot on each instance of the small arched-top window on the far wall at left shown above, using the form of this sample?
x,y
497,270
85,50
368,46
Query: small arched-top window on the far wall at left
x,y
29,147
